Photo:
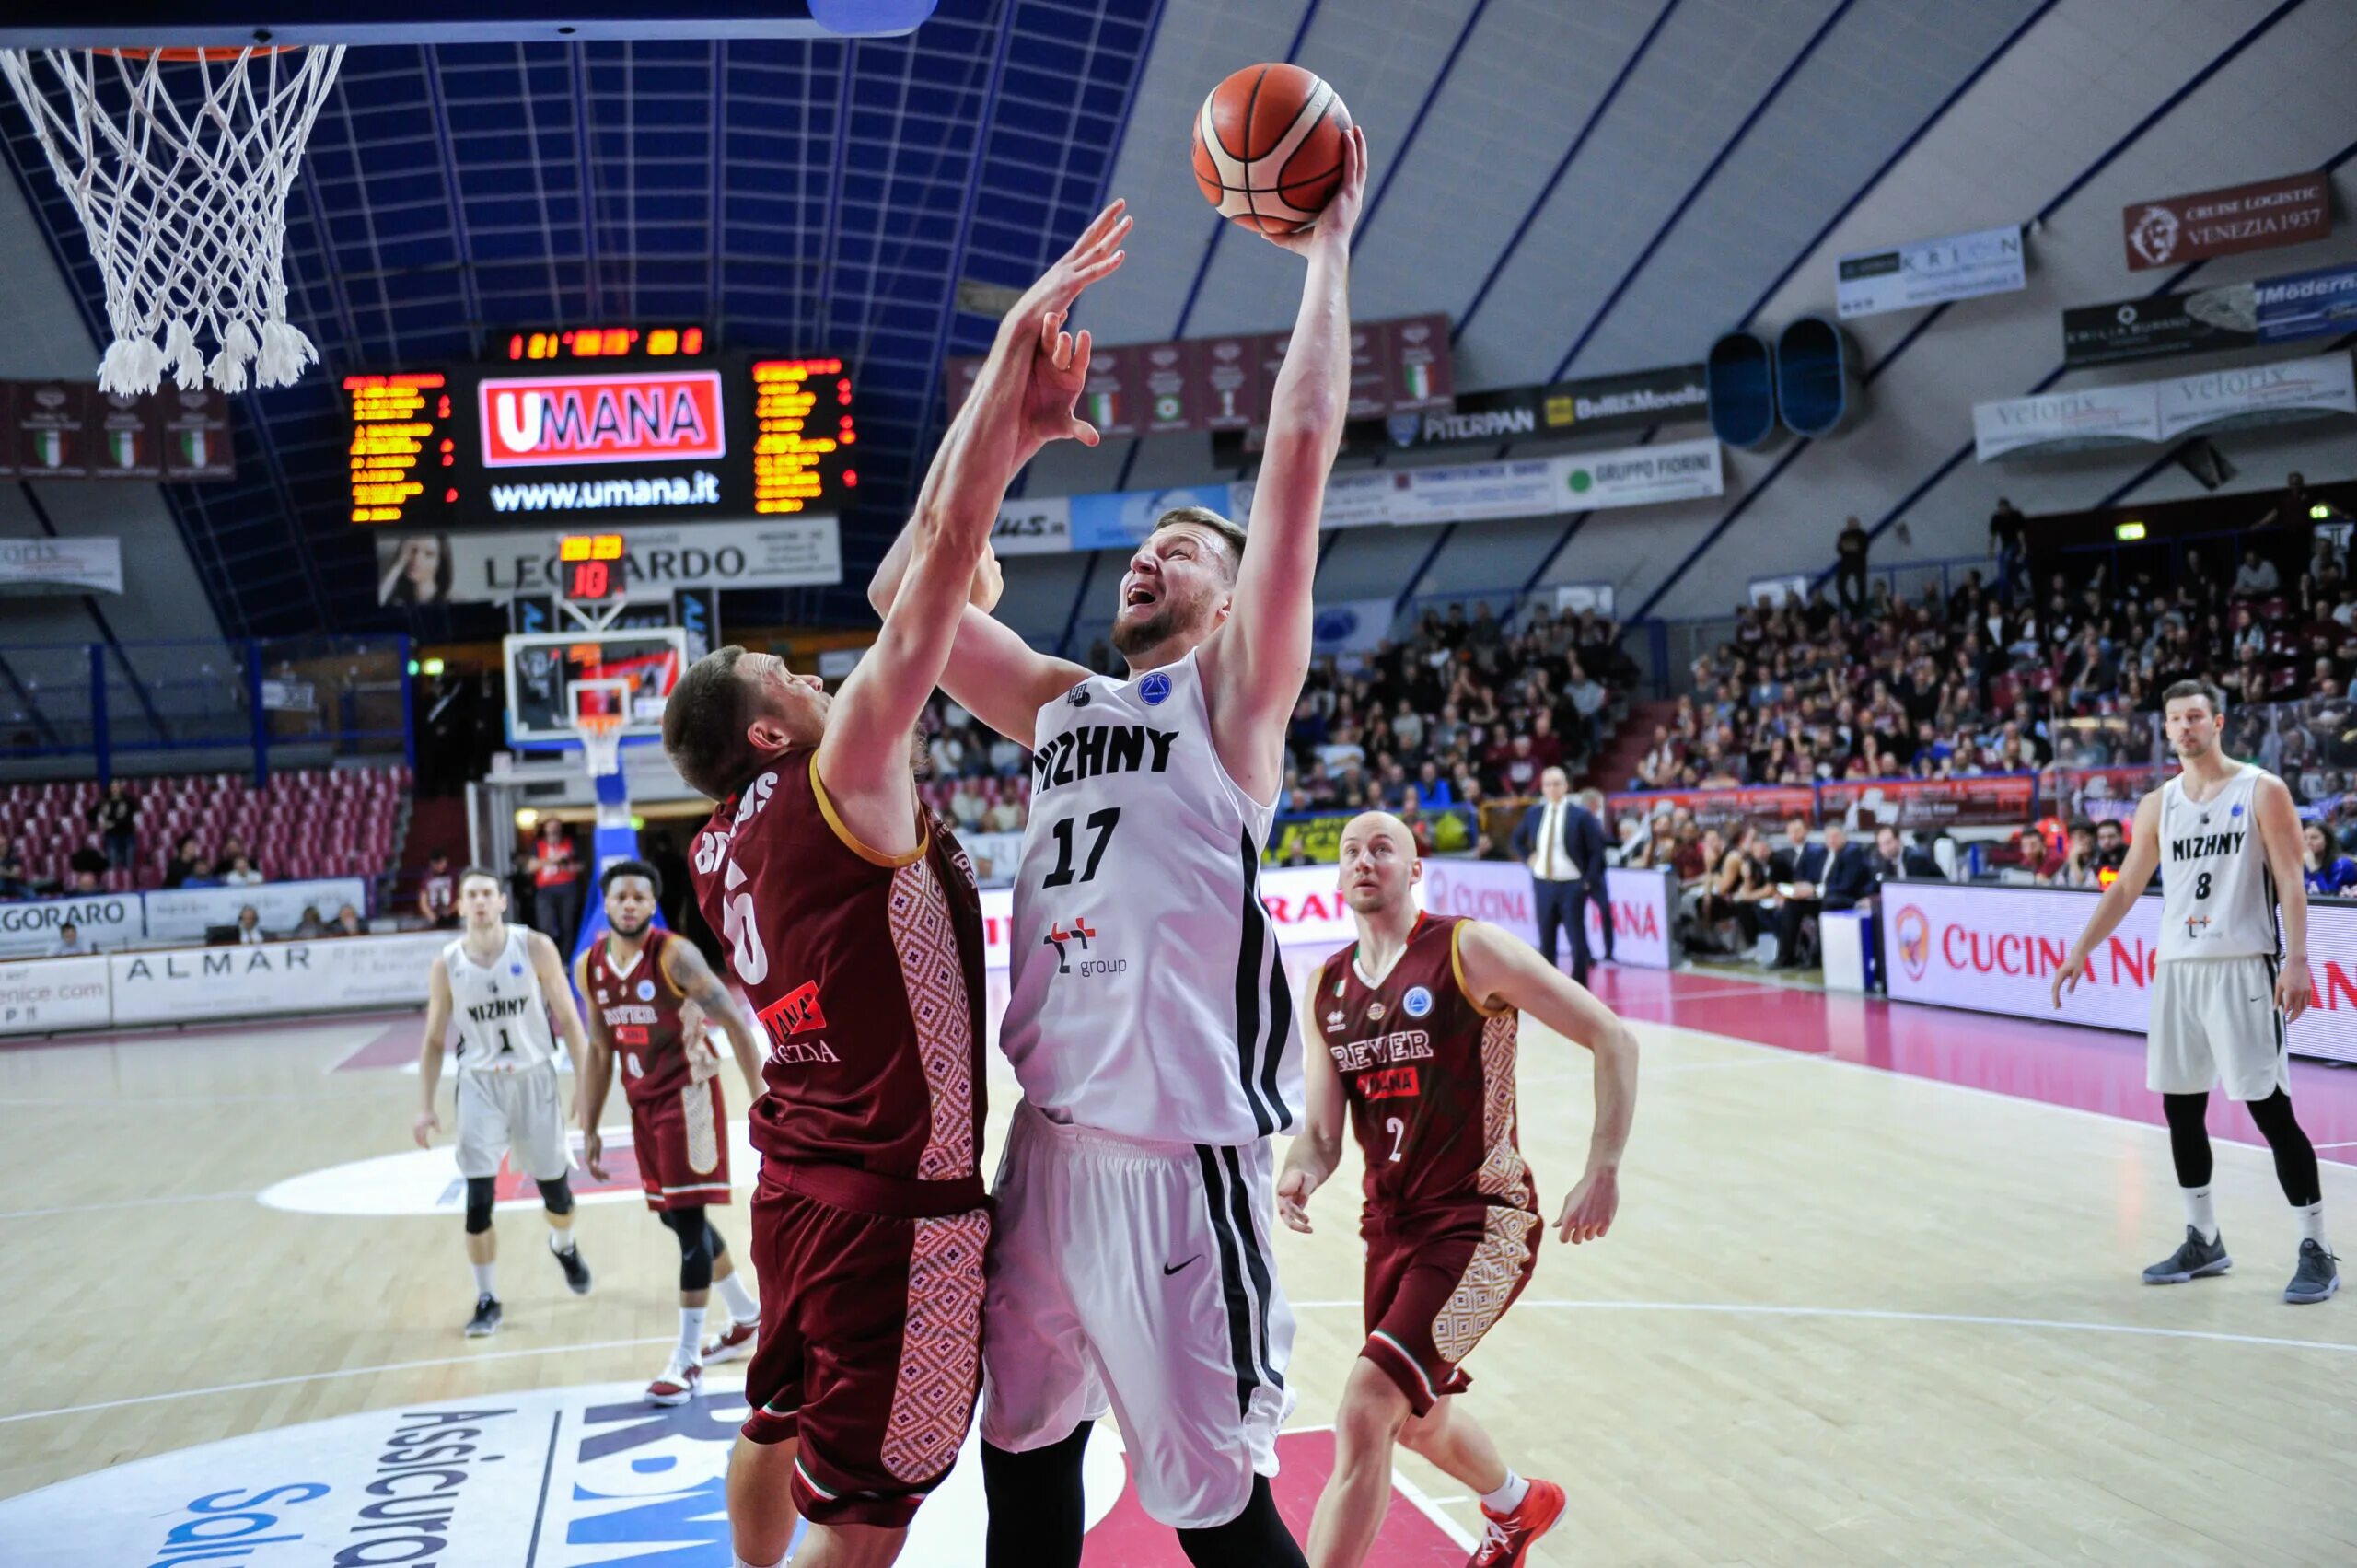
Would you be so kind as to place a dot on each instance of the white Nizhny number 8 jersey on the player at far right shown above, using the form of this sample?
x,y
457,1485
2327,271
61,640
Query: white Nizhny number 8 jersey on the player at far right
x,y
2217,892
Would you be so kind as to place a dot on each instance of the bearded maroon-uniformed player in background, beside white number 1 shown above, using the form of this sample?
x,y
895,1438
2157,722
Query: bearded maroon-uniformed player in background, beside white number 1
x,y
649,996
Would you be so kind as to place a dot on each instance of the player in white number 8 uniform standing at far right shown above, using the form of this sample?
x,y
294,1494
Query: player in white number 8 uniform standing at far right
x,y
2226,841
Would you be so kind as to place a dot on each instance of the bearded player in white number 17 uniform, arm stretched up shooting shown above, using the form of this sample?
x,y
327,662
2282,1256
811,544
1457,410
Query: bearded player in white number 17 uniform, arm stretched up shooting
x,y
1149,1015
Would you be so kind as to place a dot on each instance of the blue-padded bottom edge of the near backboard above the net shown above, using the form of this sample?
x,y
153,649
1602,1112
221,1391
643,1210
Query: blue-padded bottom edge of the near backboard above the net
x,y
171,25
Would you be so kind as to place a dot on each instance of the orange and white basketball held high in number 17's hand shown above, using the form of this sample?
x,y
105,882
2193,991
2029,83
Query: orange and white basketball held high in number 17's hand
x,y
1269,147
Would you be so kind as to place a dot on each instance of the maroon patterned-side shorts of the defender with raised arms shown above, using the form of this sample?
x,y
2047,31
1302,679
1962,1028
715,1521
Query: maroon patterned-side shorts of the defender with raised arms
x,y
871,1348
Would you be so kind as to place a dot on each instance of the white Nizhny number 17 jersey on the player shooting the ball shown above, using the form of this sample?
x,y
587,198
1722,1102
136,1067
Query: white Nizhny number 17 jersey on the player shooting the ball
x,y
1147,989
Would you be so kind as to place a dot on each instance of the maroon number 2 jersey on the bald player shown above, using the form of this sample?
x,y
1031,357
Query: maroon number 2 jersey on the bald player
x,y
1430,1076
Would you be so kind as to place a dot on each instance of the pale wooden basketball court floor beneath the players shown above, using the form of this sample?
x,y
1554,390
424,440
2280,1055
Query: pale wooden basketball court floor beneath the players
x,y
1854,1310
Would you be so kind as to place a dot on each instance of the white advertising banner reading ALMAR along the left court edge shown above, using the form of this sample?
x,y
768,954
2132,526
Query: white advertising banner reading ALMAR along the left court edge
x,y
178,984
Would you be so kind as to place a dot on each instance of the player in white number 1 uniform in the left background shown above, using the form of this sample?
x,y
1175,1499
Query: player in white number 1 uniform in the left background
x,y
501,984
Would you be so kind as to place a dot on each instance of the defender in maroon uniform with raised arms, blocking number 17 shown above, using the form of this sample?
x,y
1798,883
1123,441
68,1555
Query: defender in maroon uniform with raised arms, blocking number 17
x,y
854,925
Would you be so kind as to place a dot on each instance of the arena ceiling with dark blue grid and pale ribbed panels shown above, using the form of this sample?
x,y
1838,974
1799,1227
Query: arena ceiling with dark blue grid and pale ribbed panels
x,y
1580,187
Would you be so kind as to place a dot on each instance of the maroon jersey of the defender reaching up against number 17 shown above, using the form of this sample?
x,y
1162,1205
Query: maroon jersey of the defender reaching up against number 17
x,y
866,973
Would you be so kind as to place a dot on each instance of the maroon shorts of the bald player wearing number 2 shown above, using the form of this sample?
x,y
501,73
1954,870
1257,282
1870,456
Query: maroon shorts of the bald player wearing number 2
x,y
1437,1284
